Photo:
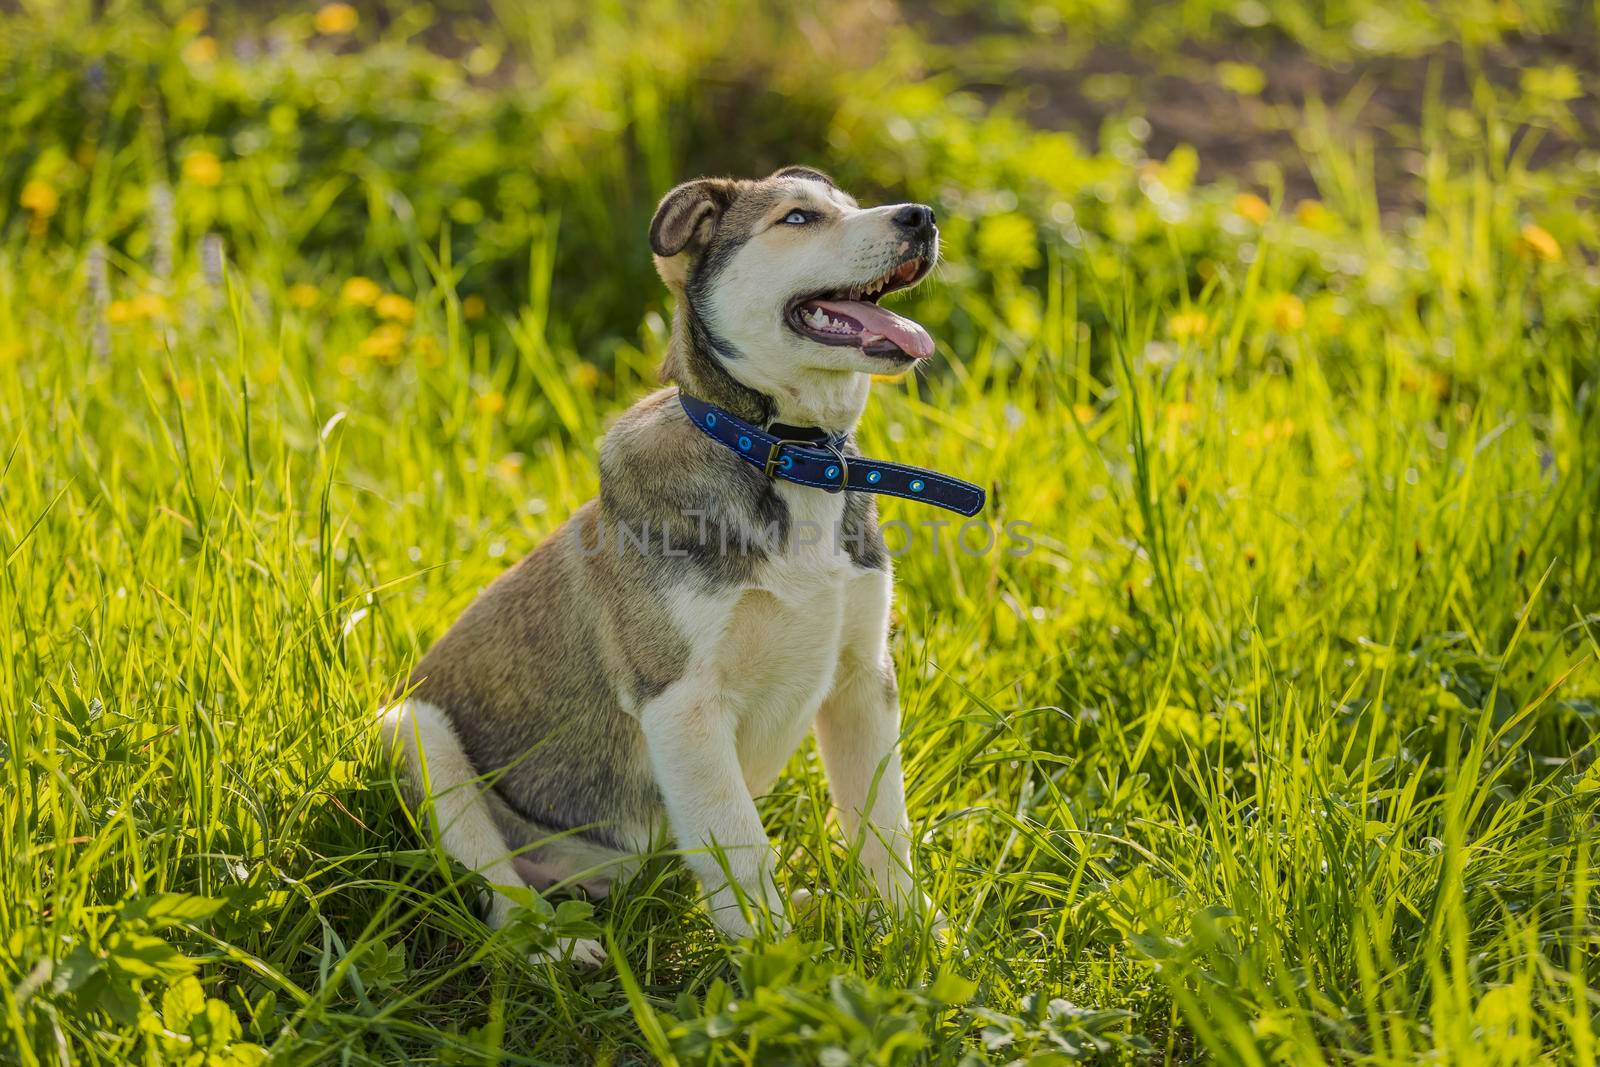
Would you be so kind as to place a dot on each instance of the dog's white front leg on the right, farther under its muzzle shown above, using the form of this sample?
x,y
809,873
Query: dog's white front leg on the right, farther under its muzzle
x,y
858,732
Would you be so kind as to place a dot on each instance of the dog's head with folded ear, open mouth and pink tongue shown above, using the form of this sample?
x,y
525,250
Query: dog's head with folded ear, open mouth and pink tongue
x,y
782,278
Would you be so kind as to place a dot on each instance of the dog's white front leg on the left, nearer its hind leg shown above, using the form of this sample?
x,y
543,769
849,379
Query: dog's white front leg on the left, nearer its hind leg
x,y
692,738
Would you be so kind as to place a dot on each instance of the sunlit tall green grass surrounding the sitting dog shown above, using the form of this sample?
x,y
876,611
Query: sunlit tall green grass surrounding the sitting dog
x,y
1278,748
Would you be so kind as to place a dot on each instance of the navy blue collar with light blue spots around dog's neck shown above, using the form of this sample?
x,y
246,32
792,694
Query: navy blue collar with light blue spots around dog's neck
x,y
822,462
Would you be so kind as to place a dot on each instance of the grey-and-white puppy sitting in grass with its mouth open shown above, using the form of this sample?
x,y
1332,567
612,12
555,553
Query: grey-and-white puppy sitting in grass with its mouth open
x,y
657,661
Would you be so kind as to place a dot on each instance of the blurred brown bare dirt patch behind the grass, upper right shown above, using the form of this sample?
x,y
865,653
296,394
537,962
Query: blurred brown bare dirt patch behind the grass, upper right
x,y
1060,82
